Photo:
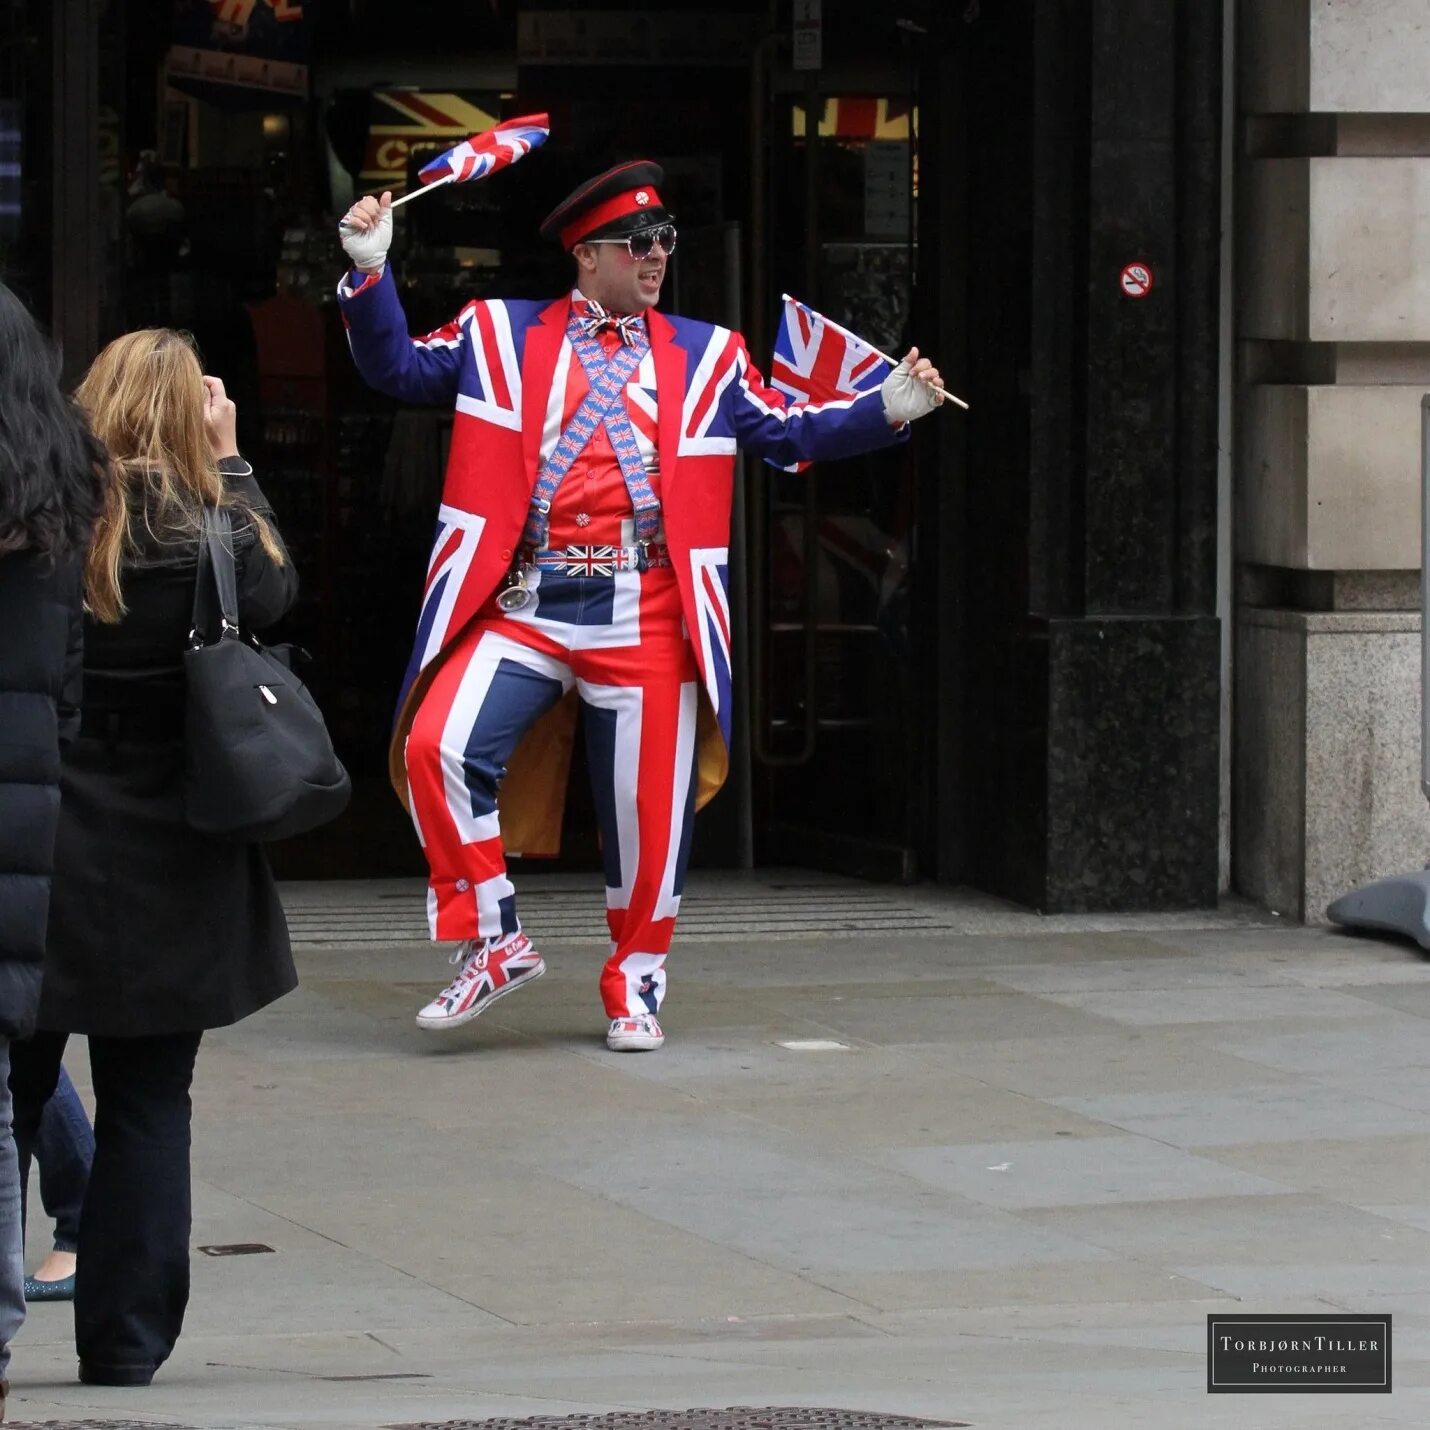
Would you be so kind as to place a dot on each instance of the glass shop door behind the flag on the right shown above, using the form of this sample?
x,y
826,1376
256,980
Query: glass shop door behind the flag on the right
x,y
834,731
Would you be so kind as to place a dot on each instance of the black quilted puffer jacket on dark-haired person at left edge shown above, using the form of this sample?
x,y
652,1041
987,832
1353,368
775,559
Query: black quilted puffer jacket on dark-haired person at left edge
x,y
39,677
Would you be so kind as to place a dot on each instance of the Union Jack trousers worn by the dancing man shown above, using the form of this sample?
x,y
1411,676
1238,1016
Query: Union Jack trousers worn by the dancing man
x,y
620,641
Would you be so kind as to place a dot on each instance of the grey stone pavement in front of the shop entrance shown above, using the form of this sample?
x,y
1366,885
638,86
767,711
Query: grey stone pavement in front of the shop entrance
x,y
1003,1182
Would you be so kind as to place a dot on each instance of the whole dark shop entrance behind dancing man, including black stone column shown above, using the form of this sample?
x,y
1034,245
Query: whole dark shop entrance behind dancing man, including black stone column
x,y
986,657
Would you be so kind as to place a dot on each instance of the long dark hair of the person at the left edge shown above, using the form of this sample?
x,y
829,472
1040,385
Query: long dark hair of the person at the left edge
x,y
51,464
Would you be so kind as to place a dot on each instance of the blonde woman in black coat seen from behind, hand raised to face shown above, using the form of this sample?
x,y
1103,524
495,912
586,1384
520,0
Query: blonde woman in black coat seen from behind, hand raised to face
x,y
157,933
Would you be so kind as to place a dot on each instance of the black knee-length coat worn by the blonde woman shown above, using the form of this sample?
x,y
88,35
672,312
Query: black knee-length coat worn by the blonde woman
x,y
157,929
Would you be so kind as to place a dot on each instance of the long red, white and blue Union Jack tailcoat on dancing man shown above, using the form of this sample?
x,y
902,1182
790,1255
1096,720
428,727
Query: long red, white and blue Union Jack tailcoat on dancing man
x,y
498,363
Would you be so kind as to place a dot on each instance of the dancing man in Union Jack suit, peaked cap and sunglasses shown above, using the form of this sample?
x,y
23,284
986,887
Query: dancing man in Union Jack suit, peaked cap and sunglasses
x,y
581,556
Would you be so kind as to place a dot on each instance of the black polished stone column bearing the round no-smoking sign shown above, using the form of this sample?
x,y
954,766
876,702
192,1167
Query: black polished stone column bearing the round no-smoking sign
x,y
1093,649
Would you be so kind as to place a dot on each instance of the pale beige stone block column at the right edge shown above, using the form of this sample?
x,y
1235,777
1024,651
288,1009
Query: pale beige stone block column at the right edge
x,y
1333,327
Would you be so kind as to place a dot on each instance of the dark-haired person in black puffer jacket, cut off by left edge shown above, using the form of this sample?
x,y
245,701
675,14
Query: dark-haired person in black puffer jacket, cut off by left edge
x,y
51,473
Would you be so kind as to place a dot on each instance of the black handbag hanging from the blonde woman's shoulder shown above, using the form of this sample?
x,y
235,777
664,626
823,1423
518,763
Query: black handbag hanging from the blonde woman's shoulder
x,y
260,763
